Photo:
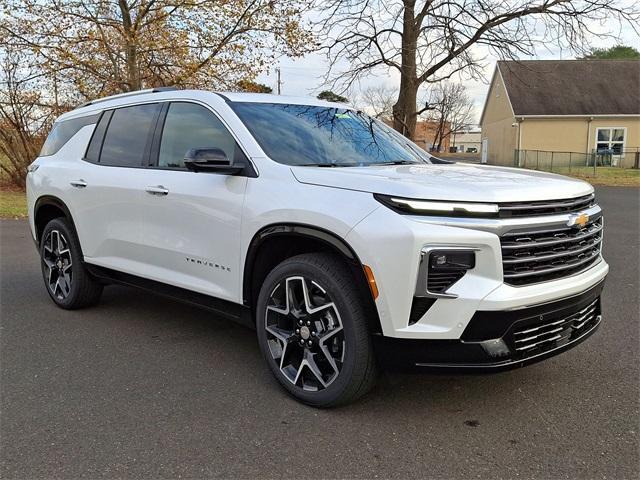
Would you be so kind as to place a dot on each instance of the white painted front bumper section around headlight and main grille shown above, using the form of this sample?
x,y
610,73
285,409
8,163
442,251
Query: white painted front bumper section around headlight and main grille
x,y
394,254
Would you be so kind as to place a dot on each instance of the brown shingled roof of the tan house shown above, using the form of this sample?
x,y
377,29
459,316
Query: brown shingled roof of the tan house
x,y
572,87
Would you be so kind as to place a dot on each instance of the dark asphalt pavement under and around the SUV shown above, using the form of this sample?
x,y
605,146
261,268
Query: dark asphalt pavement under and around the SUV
x,y
145,387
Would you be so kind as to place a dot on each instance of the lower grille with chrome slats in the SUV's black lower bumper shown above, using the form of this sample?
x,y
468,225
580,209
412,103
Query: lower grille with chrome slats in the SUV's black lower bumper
x,y
530,339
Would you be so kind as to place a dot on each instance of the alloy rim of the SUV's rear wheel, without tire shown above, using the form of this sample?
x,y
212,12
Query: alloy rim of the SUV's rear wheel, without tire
x,y
56,257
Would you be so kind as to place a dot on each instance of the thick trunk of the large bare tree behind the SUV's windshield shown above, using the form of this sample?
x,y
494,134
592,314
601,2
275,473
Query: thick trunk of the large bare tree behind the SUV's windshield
x,y
404,111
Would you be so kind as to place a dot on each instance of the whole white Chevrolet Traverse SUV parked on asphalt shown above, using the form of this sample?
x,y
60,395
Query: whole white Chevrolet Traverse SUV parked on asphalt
x,y
331,234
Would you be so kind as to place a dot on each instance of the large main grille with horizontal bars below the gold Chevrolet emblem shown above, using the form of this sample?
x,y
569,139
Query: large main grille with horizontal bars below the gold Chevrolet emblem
x,y
542,255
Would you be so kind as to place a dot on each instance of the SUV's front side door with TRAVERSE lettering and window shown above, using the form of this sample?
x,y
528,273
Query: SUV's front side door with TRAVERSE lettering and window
x,y
191,221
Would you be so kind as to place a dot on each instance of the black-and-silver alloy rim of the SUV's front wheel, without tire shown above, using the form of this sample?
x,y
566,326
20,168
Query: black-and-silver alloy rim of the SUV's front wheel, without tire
x,y
304,333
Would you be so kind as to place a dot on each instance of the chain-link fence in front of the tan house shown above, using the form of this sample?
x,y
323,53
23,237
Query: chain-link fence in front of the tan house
x,y
577,162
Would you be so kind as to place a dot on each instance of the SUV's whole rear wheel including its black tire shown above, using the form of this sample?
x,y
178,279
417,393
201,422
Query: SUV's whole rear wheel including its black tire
x,y
66,279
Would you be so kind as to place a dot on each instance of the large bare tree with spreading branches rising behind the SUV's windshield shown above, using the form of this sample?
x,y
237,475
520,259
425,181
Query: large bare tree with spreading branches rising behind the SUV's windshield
x,y
427,41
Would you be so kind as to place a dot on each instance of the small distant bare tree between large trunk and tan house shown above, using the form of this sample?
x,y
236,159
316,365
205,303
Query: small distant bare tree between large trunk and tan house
x,y
451,111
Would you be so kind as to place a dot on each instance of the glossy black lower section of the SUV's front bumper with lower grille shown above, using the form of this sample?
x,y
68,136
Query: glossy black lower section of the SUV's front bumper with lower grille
x,y
502,340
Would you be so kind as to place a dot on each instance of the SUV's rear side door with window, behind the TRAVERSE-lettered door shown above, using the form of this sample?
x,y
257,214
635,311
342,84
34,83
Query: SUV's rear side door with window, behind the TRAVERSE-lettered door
x,y
110,186
